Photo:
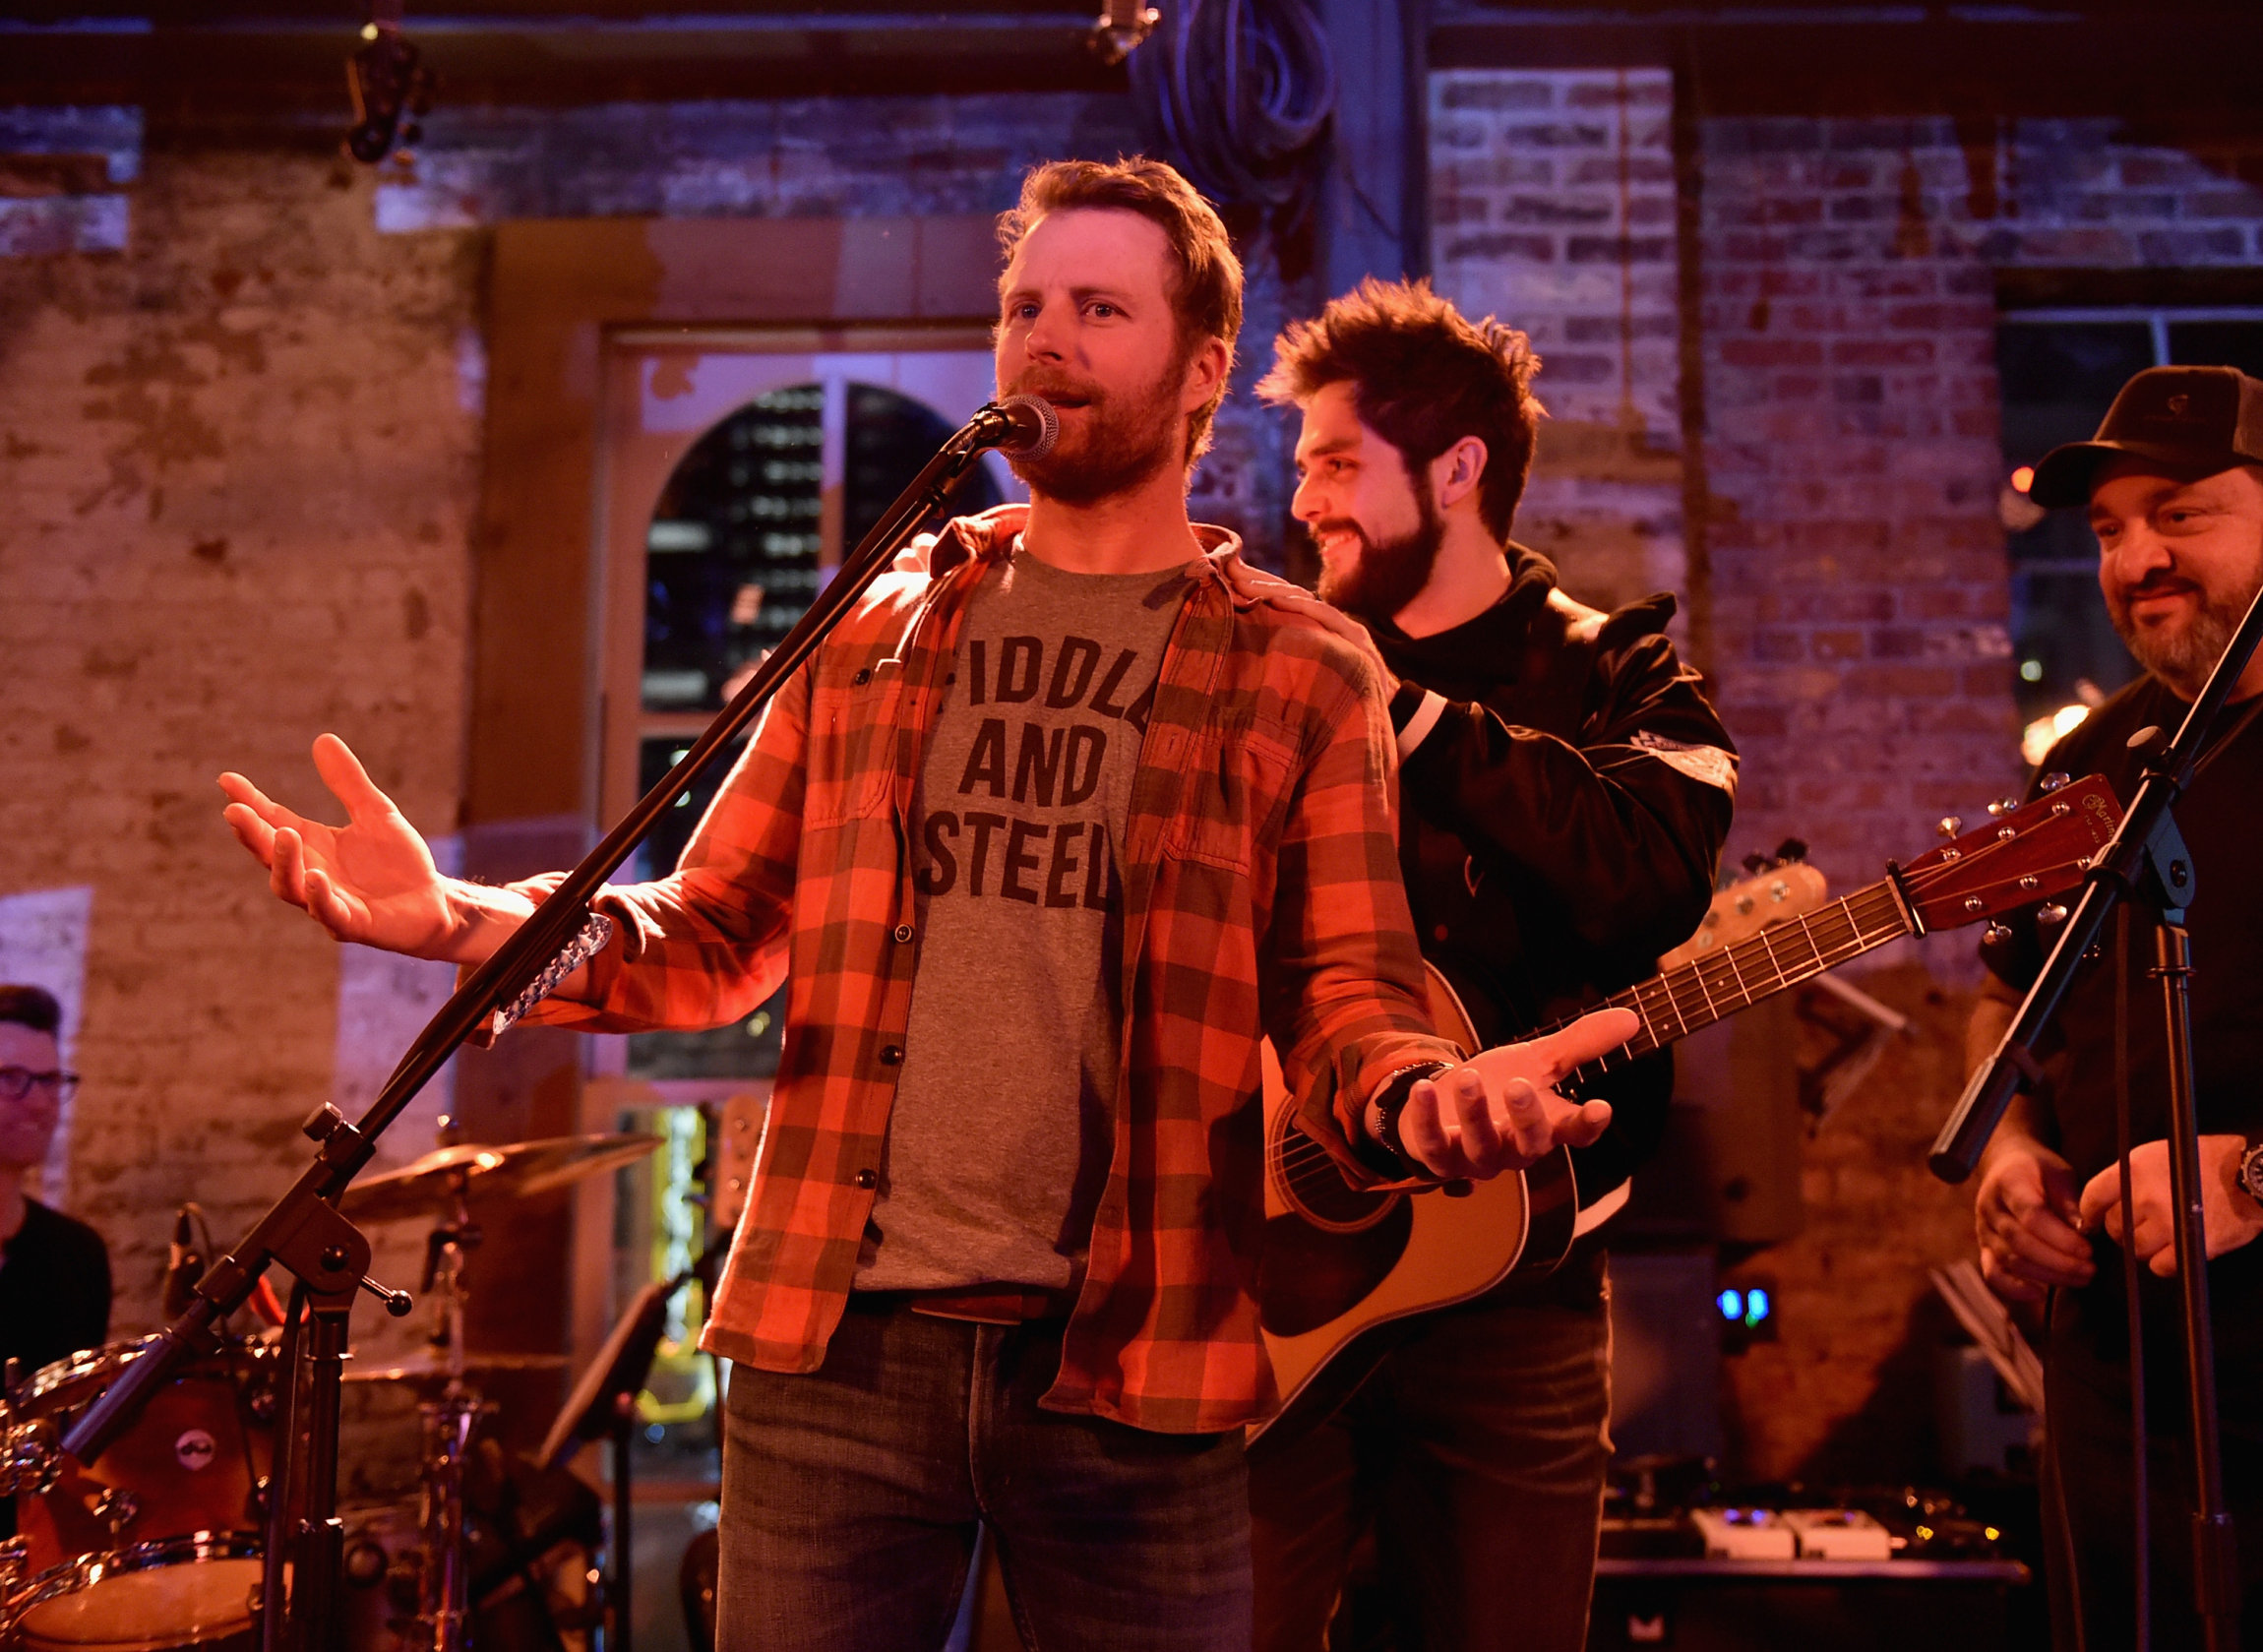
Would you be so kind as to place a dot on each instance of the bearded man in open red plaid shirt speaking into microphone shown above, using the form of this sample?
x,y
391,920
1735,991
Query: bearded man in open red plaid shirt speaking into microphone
x,y
1047,838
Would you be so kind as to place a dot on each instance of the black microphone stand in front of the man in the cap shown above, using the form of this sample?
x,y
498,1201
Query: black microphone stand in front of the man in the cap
x,y
2149,866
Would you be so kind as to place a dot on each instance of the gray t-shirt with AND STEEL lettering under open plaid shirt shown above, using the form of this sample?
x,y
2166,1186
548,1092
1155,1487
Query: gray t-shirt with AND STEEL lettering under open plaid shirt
x,y
1004,1124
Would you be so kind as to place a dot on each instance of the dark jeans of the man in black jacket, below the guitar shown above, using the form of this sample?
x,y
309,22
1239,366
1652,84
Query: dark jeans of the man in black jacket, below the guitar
x,y
1477,1459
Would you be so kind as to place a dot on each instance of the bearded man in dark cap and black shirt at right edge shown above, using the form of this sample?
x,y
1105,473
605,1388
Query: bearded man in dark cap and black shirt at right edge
x,y
2174,485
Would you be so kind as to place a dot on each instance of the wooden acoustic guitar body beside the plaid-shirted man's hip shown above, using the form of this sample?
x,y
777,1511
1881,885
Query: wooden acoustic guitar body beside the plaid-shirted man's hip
x,y
1341,1268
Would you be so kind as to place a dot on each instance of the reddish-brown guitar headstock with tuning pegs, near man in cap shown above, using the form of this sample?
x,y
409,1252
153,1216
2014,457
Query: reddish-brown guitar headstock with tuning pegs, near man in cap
x,y
2022,857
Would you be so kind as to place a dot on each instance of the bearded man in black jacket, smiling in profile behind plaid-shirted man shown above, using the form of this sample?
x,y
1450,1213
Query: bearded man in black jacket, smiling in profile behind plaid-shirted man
x,y
1565,795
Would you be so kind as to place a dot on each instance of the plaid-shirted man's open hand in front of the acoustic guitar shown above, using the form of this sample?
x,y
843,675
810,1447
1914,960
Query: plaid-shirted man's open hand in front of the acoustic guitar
x,y
1502,1112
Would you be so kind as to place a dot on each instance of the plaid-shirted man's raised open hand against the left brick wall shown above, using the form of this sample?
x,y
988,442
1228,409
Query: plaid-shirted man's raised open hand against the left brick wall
x,y
368,881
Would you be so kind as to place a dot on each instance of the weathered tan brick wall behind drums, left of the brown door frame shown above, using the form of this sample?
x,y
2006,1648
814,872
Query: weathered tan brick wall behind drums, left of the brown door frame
x,y
241,476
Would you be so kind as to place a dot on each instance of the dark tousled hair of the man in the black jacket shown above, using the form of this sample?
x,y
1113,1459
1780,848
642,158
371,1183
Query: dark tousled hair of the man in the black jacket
x,y
1422,377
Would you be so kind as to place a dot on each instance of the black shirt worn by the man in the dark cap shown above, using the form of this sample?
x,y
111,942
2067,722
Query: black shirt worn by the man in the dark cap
x,y
2219,818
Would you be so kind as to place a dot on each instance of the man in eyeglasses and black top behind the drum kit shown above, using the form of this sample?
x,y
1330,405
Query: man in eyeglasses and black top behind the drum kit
x,y
55,1277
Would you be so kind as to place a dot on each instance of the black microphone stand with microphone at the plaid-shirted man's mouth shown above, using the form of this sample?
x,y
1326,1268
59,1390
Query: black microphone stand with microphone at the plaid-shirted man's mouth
x,y
325,1250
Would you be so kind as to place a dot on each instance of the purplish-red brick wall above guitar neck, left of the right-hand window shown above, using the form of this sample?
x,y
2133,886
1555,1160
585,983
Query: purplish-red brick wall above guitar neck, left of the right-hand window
x,y
1852,447
